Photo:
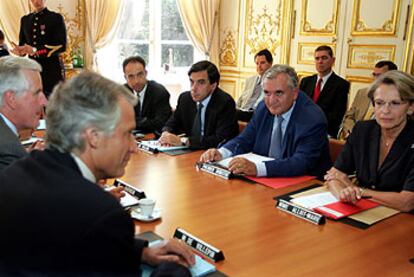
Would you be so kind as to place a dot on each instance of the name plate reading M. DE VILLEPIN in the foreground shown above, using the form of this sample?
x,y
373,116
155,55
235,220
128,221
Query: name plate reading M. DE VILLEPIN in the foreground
x,y
202,247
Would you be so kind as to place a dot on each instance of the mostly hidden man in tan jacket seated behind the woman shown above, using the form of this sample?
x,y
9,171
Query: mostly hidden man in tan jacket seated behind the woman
x,y
362,108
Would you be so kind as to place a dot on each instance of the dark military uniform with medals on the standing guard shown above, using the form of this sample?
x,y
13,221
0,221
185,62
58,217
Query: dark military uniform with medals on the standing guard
x,y
46,32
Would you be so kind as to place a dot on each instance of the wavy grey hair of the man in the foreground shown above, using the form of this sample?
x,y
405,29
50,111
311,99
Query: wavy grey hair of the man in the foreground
x,y
87,100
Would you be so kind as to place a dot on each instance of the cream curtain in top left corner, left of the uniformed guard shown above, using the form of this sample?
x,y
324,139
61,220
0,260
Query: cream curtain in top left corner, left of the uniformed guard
x,y
10,13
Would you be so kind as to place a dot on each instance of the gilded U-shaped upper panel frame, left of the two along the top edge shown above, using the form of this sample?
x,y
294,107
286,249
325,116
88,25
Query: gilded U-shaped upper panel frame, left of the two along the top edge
x,y
329,28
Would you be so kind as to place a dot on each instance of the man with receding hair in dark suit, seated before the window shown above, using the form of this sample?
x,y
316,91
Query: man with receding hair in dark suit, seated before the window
x,y
153,108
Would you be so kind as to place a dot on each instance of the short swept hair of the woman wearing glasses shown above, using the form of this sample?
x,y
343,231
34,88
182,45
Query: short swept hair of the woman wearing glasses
x,y
401,80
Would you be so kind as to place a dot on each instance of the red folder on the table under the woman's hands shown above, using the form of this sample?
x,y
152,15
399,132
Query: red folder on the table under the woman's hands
x,y
338,210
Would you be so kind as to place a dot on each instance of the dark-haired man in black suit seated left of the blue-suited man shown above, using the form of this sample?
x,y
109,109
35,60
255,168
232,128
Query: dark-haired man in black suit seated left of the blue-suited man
x,y
206,115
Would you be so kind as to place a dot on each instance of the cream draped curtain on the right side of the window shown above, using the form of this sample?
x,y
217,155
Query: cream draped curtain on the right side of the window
x,y
200,20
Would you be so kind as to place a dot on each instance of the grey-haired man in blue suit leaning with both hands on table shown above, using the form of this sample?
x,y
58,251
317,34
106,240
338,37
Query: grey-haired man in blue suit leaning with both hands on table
x,y
287,126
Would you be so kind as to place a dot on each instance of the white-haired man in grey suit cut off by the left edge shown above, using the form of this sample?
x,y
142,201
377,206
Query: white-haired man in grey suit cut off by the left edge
x,y
21,105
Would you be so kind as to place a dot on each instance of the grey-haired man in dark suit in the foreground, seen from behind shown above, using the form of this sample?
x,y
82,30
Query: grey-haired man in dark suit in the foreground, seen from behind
x,y
55,218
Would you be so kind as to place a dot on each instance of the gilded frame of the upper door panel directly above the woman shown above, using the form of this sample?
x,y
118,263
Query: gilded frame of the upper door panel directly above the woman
x,y
388,28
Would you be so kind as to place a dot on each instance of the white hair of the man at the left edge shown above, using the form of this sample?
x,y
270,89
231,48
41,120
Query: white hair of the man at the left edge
x,y
12,76
